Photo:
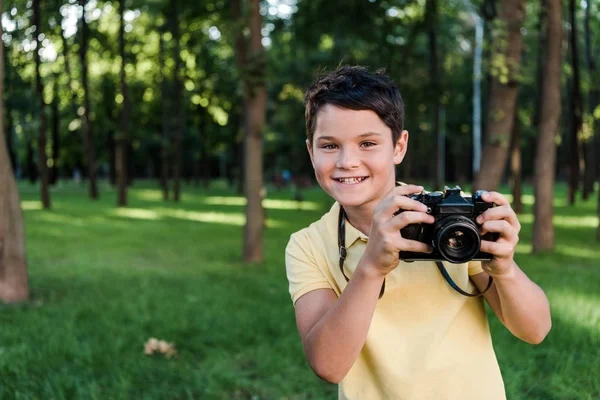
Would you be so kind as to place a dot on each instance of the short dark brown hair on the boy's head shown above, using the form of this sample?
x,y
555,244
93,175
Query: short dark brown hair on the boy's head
x,y
355,88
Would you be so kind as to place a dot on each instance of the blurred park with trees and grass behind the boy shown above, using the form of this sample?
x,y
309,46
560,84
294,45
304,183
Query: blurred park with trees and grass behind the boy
x,y
153,165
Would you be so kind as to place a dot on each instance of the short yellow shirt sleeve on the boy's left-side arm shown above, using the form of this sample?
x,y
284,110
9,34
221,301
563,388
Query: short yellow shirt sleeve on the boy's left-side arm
x,y
301,267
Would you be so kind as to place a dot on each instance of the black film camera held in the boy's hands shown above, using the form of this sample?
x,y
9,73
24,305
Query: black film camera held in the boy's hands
x,y
454,235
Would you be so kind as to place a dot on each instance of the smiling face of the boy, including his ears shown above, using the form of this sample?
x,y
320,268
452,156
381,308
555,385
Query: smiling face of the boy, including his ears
x,y
354,156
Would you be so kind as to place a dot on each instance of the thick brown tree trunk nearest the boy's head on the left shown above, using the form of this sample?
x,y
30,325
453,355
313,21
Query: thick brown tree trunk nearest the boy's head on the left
x,y
251,65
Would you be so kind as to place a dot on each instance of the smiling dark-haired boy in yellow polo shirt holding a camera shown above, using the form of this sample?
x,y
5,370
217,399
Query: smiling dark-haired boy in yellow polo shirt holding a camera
x,y
421,339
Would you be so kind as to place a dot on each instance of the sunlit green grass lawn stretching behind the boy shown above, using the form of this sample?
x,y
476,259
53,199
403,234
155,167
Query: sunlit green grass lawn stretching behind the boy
x,y
104,280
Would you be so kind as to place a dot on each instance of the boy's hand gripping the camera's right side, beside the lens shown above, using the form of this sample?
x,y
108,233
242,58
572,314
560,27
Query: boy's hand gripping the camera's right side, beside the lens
x,y
502,220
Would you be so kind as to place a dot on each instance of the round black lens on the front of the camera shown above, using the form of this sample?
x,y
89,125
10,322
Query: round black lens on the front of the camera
x,y
457,239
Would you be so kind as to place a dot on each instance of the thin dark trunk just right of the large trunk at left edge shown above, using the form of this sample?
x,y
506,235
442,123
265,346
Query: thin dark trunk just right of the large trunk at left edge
x,y
39,85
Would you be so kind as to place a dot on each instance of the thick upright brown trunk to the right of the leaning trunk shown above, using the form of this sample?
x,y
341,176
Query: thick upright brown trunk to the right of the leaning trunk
x,y
544,169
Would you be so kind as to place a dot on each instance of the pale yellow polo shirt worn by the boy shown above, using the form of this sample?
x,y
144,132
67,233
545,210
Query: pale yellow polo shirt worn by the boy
x,y
425,341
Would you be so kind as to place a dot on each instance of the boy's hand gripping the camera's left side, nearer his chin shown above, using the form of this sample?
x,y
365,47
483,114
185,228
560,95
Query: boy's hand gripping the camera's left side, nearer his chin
x,y
385,240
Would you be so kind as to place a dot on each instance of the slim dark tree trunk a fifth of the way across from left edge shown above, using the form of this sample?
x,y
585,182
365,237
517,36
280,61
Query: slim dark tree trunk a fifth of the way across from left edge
x,y
122,139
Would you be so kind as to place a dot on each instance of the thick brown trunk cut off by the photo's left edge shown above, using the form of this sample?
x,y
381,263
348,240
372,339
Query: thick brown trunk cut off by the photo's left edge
x,y
14,284
